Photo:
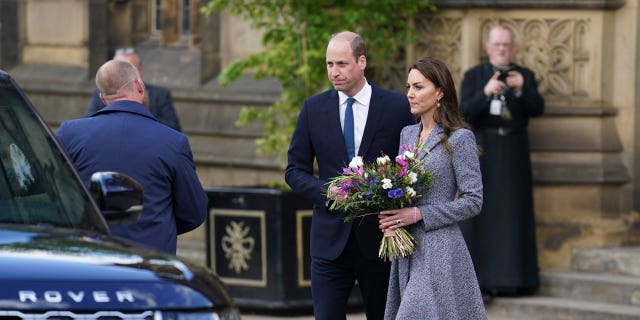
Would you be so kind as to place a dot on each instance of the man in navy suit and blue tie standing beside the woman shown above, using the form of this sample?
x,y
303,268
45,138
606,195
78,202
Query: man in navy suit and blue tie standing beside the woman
x,y
342,253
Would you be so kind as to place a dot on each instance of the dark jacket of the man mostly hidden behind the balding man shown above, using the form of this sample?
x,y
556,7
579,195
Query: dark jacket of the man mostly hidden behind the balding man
x,y
160,103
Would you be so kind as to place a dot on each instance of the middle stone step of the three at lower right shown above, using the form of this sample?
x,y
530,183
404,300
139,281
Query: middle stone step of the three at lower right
x,y
598,287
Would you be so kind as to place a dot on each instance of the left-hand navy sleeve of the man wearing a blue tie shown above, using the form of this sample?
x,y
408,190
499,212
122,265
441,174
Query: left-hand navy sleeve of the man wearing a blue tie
x,y
301,155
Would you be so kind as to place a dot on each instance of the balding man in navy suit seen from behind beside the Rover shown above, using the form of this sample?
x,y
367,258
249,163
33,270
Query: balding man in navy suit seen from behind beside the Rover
x,y
126,137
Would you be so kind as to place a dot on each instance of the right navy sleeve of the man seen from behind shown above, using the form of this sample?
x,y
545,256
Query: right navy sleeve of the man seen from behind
x,y
190,200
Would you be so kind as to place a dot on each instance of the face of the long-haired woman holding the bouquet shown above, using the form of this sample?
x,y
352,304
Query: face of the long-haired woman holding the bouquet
x,y
422,94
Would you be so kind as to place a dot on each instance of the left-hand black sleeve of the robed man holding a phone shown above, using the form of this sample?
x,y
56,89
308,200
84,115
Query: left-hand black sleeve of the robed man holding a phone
x,y
473,102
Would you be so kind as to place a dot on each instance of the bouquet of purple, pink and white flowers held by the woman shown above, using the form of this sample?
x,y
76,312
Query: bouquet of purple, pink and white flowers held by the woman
x,y
365,189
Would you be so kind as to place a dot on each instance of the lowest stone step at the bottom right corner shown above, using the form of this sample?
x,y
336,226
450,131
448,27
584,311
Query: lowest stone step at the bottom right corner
x,y
552,308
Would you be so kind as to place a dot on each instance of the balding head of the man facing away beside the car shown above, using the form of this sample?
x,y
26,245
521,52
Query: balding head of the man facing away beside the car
x,y
119,80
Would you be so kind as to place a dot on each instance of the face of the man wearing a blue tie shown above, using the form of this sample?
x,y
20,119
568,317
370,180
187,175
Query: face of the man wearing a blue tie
x,y
344,71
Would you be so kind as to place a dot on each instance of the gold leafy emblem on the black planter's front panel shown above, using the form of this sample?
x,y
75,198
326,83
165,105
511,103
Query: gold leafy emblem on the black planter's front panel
x,y
237,246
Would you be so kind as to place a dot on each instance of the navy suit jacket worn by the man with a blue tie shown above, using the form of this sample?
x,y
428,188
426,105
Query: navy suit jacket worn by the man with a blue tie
x,y
318,136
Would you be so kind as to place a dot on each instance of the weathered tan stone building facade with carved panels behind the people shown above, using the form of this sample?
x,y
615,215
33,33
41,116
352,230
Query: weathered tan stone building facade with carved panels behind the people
x,y
585,149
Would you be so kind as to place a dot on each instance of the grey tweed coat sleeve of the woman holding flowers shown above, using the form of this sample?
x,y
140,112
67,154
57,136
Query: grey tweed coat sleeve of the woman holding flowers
x,y
466,171
